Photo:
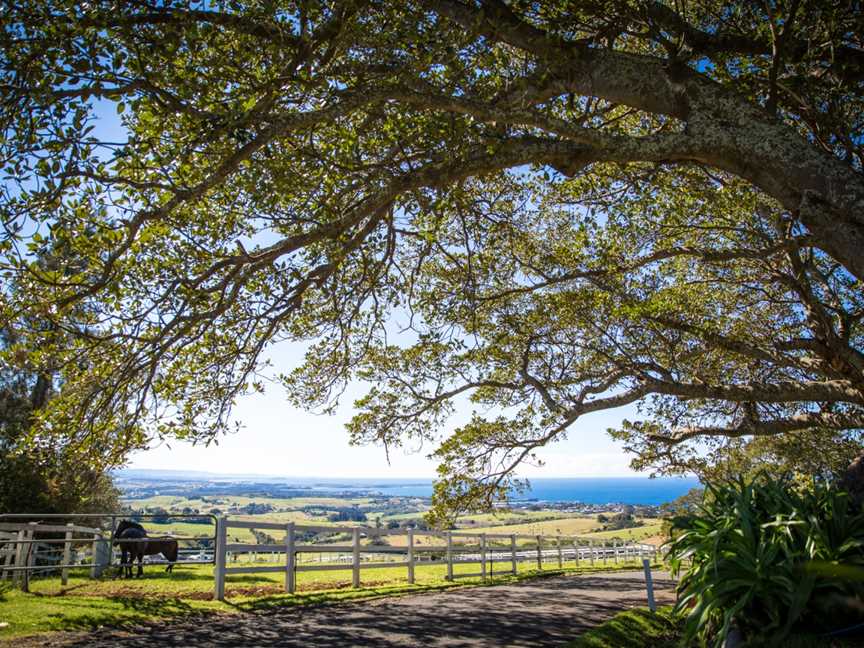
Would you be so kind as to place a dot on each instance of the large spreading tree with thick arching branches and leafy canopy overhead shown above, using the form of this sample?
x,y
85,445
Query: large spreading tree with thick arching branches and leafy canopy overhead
x,y
573,206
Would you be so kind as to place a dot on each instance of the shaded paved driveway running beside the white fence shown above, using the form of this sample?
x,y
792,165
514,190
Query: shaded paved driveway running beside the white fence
x,y
540,612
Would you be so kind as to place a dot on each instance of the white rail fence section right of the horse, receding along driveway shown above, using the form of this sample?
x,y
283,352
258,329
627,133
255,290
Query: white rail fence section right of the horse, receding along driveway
x,y
457,547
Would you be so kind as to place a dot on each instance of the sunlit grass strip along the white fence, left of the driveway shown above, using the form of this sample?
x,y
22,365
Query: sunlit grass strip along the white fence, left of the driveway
x,y
86,604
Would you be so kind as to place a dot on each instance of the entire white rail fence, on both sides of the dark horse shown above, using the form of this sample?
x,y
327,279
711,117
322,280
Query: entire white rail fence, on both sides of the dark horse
x,y
27,548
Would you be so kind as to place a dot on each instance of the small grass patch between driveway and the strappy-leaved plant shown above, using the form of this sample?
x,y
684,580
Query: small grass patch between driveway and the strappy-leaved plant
x,y
637,628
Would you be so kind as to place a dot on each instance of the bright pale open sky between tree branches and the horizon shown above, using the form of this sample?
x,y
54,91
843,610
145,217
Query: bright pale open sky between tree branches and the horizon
x,y
278,439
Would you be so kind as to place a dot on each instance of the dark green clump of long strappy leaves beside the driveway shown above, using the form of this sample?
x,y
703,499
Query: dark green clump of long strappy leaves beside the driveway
x,y
771,559
